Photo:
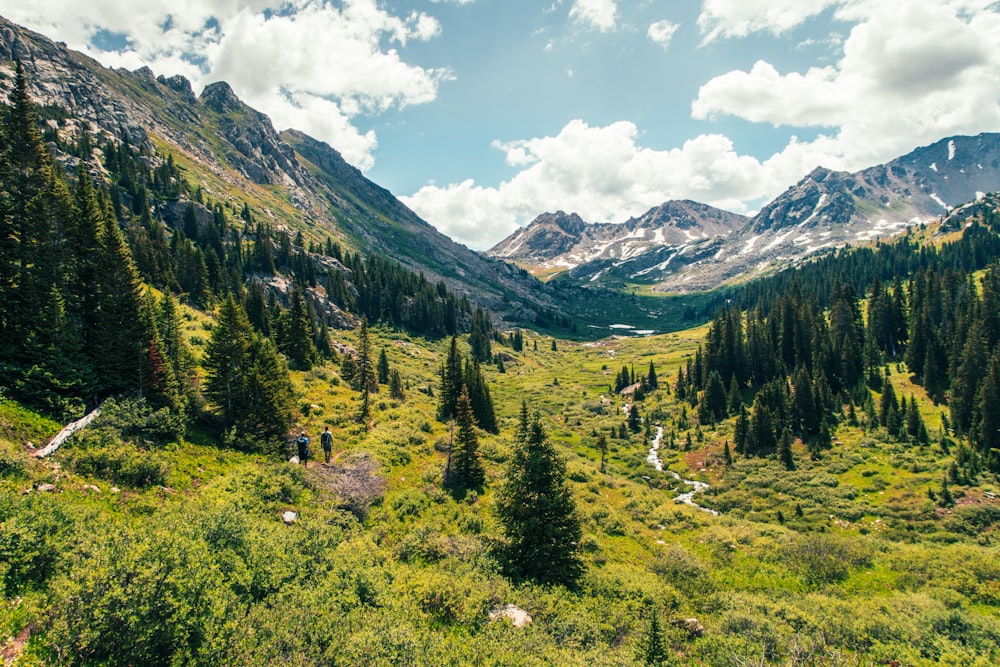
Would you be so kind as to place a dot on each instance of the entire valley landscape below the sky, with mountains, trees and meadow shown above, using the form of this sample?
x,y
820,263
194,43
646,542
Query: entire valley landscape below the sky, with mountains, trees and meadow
x,y
703,439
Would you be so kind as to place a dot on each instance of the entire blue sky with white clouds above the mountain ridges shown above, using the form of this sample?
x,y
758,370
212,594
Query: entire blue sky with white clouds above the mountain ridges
x,y
481,114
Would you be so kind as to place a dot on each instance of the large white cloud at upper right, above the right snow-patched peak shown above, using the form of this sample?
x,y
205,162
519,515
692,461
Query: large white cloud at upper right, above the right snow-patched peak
x,y
920,66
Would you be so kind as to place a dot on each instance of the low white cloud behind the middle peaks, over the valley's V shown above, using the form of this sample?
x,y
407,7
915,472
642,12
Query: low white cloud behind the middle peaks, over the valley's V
x,y
602,173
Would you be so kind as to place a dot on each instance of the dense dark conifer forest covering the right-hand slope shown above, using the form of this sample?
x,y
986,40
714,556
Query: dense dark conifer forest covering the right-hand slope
x,y
806,344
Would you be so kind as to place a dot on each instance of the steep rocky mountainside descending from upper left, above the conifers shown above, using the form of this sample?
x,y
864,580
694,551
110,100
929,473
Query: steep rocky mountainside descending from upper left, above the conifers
x,y
293,181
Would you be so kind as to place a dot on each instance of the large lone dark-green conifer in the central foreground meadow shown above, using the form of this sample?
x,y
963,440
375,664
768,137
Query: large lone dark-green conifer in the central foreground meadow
x,y
535,508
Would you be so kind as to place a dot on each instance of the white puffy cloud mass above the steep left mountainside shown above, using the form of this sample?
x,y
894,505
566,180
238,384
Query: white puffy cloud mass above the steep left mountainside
x,y
308,63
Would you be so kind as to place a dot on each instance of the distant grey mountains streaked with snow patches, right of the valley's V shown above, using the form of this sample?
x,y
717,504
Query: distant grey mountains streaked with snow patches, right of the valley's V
x,y
697,247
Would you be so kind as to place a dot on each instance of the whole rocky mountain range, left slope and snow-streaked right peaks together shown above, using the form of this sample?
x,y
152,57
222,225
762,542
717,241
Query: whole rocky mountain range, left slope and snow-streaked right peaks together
x,y
300,184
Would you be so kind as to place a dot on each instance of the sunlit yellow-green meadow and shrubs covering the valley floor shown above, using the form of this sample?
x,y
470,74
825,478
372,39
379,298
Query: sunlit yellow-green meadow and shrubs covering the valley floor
x,y
845,560
